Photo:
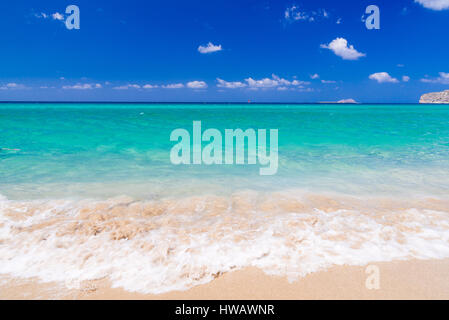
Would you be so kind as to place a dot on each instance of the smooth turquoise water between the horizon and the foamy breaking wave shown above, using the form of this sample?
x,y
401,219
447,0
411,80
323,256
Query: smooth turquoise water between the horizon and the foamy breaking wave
x,y
104,150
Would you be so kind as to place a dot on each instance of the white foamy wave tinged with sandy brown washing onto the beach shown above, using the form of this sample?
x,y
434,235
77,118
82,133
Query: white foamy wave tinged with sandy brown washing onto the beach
x,y
174,244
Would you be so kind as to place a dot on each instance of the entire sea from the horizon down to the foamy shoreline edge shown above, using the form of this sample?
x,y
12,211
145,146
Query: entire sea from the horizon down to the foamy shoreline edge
x,y
91,193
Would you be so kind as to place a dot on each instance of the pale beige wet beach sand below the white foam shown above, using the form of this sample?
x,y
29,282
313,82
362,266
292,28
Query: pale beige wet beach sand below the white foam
x,y
415,279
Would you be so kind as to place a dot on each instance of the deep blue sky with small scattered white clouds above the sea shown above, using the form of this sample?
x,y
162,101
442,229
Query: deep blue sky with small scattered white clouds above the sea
x,y
223,51
